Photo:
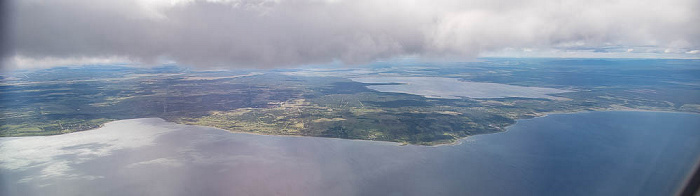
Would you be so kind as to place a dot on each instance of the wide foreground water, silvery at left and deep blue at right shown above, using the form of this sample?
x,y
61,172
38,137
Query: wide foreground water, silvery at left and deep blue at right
x,y
597,153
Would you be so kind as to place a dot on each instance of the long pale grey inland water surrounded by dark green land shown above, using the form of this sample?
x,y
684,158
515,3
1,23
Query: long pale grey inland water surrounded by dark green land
x,y
453,88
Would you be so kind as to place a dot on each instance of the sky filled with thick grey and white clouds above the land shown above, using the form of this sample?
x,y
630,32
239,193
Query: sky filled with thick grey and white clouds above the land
x,y
288,33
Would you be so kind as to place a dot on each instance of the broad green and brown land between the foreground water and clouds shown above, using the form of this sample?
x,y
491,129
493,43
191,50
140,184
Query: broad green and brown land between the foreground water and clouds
x,y
329,103
